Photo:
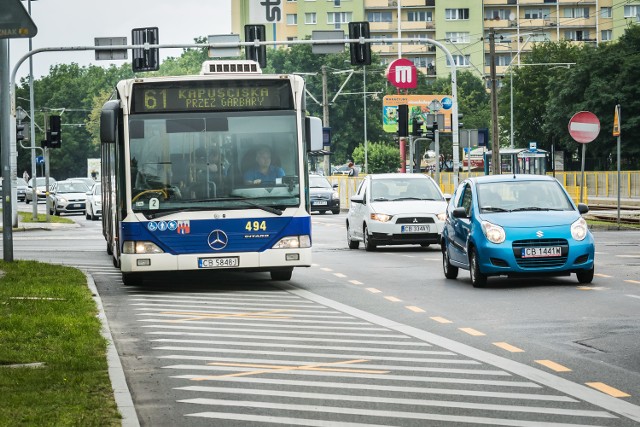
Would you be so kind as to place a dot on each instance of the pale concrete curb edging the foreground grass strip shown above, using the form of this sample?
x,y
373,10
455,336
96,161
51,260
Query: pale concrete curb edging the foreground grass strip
x,y
121,391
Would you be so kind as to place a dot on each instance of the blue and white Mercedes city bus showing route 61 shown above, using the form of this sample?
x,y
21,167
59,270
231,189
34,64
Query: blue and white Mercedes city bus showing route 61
x,y
208,172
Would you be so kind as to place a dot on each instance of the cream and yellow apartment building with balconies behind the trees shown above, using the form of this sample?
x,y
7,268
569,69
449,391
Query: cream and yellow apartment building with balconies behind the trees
x,y
463,26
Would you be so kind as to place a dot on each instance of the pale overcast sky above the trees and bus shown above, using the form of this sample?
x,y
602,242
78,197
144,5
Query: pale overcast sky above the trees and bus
x,y
68,23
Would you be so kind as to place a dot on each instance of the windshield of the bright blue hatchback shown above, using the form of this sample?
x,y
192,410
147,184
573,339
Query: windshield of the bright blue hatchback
x,y
512,196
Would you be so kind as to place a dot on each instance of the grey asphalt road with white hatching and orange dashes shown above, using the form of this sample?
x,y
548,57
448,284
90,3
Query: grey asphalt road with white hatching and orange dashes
x,y
370,338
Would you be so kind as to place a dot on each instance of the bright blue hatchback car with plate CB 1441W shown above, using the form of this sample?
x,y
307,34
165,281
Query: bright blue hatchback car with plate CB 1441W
x,y
516,225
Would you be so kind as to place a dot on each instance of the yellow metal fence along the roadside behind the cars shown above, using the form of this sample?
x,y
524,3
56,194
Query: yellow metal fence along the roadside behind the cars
x,y
598,185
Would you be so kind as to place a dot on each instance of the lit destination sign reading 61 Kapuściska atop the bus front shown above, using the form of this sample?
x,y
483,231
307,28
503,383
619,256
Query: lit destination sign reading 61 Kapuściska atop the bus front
x,y
214,95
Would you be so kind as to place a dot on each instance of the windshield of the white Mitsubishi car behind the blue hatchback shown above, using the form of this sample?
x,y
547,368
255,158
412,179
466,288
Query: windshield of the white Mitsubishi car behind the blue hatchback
x,y
389,189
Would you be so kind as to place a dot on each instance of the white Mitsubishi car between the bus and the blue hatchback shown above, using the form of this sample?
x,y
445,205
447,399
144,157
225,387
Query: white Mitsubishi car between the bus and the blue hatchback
x,y
396,209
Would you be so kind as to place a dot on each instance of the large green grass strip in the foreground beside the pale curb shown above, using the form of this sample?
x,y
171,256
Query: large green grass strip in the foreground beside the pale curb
x,y
49,318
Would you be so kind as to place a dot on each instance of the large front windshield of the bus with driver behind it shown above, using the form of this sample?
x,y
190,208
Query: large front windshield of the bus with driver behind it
x,y
213,160
